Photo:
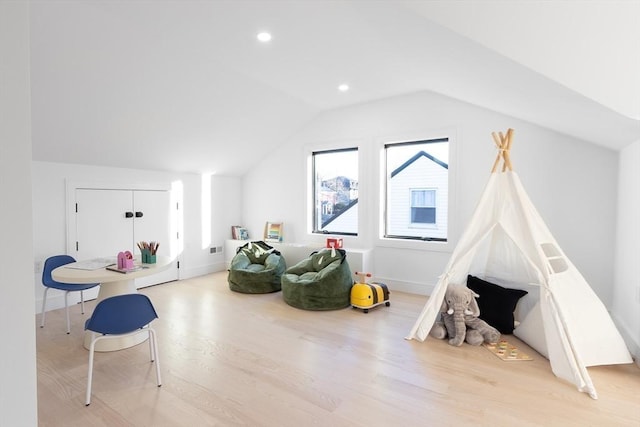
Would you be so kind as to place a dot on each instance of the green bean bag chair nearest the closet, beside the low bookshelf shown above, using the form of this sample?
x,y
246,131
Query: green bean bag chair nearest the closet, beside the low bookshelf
x,y
256,268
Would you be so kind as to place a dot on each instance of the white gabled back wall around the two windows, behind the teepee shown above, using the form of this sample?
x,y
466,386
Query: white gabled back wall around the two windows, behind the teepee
x,y
562,175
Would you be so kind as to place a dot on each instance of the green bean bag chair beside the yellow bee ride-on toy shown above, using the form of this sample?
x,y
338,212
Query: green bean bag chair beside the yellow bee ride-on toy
x,y
321,282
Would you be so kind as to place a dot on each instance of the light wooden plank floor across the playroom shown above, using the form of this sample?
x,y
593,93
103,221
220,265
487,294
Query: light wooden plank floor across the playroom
x,y
231,359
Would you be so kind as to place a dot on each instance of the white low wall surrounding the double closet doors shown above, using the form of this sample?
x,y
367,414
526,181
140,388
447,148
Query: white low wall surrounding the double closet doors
x,y
201,227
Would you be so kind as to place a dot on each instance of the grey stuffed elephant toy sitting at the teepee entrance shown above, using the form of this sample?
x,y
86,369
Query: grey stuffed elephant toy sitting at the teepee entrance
x,y
460,320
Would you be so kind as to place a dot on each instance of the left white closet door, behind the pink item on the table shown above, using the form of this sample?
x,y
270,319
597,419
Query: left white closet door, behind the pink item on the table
x,y
102,226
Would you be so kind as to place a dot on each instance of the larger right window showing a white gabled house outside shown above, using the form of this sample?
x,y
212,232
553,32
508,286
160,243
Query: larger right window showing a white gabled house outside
x,y
417,190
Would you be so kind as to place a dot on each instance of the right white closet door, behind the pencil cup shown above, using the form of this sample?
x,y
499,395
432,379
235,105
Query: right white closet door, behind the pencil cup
x,y
153,220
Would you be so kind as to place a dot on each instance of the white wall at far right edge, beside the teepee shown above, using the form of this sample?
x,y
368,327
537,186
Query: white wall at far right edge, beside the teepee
x,y
626,301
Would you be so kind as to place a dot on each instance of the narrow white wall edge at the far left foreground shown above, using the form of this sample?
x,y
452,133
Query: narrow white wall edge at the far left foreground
x,y
18,386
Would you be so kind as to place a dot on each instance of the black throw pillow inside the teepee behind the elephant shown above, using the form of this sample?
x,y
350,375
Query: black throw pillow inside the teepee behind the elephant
x,y
496,303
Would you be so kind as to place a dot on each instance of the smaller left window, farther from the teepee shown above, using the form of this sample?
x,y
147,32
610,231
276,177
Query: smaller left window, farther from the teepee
x,y
335,191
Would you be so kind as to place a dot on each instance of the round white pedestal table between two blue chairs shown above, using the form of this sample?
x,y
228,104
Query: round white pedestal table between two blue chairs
x,y
111,283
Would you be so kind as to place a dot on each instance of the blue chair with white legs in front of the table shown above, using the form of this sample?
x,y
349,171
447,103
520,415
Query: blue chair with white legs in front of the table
x,y
117,317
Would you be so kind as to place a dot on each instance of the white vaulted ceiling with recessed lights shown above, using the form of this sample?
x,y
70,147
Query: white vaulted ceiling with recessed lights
x,y
185,85
